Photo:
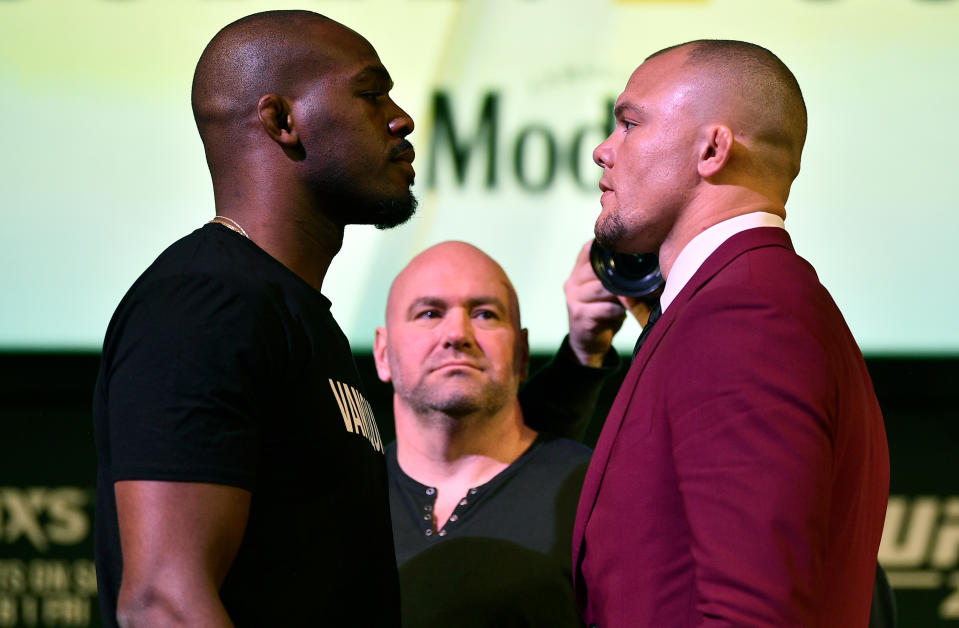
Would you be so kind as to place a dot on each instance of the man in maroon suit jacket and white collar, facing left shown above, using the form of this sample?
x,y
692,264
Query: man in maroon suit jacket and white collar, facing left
x,y
742,475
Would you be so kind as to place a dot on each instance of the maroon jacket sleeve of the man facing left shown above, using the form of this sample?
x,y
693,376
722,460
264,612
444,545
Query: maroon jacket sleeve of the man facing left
x,y
753,455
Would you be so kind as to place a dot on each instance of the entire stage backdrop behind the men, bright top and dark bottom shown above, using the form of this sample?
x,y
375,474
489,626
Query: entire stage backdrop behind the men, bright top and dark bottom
x,y
101,168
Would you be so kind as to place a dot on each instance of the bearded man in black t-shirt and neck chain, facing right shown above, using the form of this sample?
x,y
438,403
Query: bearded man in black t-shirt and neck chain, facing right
x,y
241,476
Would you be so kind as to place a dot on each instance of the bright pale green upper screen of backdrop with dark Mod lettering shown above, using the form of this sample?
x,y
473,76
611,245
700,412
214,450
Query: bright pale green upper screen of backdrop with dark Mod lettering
x,y
102,166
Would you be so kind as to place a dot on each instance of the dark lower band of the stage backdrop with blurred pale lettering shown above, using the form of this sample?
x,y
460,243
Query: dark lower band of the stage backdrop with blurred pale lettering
x,y
48,465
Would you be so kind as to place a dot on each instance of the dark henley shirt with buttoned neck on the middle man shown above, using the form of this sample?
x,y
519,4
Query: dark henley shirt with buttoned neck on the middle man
x,y
503,558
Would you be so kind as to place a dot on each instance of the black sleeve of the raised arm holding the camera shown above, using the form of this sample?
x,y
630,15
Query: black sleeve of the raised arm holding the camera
x,y
560,397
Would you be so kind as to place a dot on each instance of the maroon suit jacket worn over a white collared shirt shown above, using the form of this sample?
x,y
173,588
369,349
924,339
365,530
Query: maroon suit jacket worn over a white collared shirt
x,y
742,476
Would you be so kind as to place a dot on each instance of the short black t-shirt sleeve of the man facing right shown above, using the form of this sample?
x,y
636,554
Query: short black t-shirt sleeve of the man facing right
x,y
189,374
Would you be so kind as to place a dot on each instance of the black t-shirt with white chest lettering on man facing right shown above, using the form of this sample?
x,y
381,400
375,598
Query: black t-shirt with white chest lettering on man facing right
x,y
220,365
